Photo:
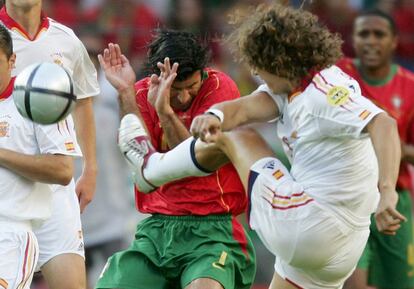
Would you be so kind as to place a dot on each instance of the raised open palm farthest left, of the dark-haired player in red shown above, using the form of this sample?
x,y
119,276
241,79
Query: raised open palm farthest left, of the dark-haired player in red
x,y
116,66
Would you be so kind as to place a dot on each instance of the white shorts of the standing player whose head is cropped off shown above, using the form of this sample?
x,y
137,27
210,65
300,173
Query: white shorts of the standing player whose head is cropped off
x,y
62,232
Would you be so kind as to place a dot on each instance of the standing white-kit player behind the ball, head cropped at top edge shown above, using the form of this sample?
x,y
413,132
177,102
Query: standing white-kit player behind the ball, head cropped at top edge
x,y
37,38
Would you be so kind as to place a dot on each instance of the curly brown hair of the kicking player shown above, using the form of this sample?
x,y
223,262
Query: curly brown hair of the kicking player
x,y
284,41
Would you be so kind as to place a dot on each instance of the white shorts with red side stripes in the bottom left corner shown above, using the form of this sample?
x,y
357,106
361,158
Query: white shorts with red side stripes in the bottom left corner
x,y
18,256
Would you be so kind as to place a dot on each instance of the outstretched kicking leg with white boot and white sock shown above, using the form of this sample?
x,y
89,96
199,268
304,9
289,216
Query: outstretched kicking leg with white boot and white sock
x,y
192,157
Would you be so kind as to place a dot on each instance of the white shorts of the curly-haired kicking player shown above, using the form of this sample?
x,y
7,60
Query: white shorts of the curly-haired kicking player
x,y
313,247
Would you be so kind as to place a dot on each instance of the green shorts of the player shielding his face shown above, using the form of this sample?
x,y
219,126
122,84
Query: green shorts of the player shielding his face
x,y
171,251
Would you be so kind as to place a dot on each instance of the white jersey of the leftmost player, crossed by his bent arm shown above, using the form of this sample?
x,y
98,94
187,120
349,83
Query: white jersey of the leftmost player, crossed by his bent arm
x,y
22,199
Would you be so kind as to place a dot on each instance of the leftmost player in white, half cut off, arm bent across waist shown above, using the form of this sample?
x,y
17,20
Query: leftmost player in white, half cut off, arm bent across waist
x,y
32,156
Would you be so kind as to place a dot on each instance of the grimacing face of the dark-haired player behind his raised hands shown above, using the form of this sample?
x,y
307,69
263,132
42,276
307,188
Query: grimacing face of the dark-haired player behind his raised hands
x,y
183,92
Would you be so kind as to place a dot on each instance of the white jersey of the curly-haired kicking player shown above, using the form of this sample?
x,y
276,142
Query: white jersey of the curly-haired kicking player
x,y
321,129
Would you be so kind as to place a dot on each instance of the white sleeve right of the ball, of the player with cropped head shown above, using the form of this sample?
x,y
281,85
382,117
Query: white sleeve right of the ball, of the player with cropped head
x,y
84,75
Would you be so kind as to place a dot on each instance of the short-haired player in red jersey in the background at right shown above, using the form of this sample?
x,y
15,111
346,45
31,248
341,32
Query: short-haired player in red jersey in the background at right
x,y
387,261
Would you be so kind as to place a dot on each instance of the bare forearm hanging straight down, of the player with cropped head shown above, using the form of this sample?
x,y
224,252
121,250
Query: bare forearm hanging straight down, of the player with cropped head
x,y
86,133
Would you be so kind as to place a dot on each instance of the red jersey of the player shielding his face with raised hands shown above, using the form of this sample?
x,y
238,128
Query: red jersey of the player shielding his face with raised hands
x,y
219,193
